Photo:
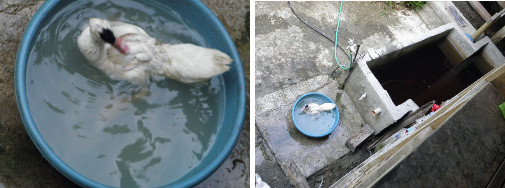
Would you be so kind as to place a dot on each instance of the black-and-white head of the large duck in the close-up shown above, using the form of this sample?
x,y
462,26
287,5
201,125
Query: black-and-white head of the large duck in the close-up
x,y
102,31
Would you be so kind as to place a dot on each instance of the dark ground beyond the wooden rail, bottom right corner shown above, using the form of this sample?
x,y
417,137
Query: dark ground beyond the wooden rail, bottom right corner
x,y
465,151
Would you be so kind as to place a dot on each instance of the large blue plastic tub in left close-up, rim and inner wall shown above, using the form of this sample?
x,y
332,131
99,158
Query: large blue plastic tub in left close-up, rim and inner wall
x,y
204,22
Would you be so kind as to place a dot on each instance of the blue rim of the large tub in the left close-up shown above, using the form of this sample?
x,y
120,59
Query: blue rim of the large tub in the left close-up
x,y
57,163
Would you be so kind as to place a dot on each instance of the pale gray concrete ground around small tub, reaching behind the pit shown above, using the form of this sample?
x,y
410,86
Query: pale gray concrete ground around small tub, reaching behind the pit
x,y
292,59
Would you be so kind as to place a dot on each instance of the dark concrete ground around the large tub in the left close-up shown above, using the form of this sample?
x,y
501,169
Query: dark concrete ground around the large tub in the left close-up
x,y
21,165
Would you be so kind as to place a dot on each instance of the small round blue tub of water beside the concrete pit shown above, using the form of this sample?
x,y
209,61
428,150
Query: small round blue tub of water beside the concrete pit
x,y
314,125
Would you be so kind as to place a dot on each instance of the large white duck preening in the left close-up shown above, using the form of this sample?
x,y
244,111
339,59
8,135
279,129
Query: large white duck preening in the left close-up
x,y
126,52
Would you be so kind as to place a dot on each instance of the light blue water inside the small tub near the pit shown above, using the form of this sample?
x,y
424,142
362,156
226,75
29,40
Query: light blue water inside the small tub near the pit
x,y
314,124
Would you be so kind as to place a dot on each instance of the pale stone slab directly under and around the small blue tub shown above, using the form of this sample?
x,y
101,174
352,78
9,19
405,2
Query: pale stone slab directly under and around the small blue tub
x,y
309,154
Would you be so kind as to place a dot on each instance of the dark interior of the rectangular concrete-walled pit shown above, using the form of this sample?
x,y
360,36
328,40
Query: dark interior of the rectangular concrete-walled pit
x,y
425,74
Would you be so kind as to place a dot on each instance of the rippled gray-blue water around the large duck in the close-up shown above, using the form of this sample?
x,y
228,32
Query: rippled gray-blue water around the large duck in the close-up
x,y
105,129
